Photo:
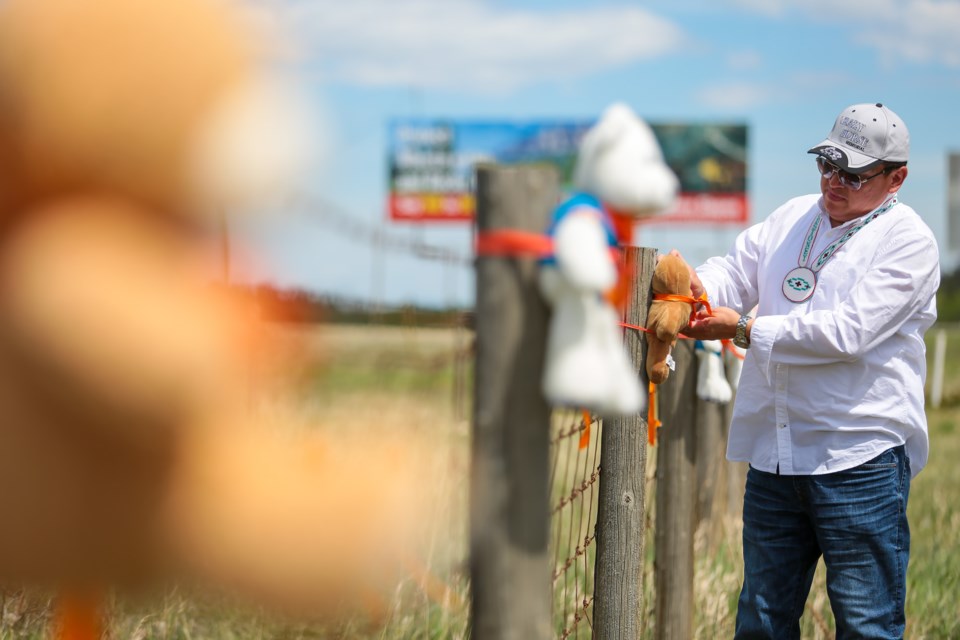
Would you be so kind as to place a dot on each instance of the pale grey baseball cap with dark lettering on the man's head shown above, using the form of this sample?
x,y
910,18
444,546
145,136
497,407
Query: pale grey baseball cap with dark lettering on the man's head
x,y
863,136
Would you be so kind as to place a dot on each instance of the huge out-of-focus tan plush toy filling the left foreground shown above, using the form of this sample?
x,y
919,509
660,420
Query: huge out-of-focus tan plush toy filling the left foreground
x,y
128,450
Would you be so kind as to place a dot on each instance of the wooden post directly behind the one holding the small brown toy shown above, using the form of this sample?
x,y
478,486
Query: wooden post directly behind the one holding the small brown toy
x,y
676,498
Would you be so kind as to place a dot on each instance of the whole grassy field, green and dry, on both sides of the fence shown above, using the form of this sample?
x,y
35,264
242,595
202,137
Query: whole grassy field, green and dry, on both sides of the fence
x,y
363,375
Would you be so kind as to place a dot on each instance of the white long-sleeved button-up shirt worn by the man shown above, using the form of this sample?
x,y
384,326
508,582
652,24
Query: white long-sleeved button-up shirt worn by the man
x,y
831,382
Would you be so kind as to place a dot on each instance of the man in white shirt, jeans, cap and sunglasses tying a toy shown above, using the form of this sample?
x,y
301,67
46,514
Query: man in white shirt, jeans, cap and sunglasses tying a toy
x,y
829,411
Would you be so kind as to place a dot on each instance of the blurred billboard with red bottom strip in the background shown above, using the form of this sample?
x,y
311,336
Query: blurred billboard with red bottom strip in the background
x,y
431,164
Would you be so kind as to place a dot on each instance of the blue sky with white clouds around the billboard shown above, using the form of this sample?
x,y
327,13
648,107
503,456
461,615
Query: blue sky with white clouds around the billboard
x,y
785,68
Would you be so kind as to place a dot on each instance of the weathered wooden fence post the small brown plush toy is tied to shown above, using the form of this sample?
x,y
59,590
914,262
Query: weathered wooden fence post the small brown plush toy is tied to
x,y
618,573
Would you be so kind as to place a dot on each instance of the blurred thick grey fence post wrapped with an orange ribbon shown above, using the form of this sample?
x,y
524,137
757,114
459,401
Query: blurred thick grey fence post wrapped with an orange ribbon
x,y
509,494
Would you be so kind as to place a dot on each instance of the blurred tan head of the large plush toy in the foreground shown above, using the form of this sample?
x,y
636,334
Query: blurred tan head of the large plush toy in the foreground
x,y
136,99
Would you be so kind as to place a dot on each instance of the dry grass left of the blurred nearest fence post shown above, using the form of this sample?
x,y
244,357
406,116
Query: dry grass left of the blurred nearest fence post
x,y
348,381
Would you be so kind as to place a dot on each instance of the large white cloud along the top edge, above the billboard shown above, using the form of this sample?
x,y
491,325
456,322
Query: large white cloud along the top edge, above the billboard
x,y
468,44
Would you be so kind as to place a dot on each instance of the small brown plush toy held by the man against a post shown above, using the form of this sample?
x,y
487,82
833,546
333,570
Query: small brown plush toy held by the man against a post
x,y
668,314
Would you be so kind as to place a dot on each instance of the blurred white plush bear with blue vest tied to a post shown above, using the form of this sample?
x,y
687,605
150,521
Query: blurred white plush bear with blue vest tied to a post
x,y
620,171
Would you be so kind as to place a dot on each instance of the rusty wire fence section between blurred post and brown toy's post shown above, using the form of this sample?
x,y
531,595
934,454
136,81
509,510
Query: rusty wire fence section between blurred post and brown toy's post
x,y
574,485
